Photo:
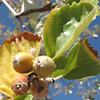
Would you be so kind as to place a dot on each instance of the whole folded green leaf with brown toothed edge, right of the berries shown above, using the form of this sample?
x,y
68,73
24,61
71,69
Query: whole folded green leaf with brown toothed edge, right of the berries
x,y
81,62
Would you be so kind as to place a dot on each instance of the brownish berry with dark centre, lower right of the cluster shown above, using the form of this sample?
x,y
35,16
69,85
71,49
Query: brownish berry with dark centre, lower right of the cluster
x,y
39,89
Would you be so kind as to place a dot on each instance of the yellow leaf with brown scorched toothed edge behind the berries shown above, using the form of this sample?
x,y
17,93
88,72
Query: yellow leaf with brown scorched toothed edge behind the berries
x,y
21,43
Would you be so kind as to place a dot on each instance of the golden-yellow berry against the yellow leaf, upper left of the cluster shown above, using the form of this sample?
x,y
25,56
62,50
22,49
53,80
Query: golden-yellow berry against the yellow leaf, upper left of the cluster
x,y
23,62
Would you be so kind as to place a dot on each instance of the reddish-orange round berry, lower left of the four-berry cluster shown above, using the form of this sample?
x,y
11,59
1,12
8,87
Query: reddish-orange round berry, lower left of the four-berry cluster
x,y
20,85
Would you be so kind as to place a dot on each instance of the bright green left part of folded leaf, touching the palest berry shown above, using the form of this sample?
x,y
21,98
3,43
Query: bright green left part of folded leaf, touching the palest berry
x,y
65,64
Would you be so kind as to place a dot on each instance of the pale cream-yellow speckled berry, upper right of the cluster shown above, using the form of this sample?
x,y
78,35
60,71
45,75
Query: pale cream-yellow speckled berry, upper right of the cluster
x,y
43,66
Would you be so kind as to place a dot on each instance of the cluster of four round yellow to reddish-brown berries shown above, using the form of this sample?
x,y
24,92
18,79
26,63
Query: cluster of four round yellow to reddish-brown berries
x,y
42,67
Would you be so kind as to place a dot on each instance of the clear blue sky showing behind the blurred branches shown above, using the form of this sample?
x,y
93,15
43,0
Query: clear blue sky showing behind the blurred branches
x,y
5,19
